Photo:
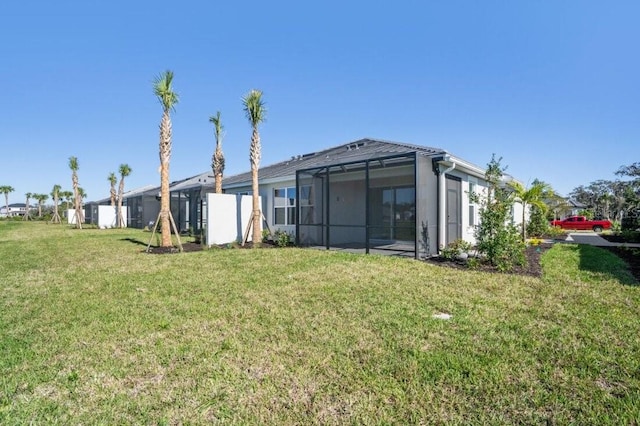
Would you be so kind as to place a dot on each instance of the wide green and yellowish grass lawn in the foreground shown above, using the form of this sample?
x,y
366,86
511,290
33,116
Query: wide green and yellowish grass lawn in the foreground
x,y
94,331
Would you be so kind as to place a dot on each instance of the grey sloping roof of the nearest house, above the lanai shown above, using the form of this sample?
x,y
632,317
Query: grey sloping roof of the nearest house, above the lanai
x,y
360,150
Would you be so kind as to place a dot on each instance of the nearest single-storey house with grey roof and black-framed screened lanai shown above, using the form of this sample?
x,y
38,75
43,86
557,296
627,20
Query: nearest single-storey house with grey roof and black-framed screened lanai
x,y
371,195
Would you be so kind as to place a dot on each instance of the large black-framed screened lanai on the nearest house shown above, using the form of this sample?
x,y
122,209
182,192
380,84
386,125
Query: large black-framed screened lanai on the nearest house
x,y
367,206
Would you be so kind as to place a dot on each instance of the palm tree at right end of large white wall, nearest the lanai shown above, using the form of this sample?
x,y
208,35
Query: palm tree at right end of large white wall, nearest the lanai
x,y
256,112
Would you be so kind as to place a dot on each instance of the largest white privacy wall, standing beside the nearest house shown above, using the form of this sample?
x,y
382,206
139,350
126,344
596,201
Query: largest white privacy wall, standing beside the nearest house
x,y
228,216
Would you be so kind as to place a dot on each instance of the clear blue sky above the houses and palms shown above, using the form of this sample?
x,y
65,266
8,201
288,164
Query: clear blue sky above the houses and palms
x,y
551,87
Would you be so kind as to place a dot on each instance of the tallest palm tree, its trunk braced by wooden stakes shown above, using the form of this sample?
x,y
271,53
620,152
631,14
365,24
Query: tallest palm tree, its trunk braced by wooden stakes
x,y
163,89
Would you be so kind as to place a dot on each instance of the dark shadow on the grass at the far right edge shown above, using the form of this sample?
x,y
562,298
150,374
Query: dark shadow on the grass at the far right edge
x,y
598,260
